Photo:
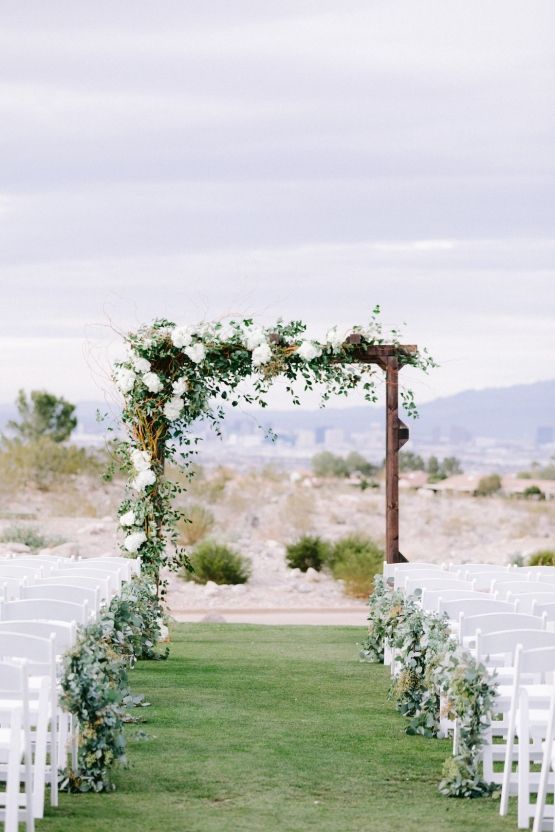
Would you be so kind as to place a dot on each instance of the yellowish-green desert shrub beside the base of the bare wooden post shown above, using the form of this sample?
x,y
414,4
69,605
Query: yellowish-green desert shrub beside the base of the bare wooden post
x,y
356,560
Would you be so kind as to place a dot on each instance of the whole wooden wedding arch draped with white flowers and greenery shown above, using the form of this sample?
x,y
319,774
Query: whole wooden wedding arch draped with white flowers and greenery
x,y
173,375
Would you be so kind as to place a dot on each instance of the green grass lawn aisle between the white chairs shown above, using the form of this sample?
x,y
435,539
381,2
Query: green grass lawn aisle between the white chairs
x,y
272,728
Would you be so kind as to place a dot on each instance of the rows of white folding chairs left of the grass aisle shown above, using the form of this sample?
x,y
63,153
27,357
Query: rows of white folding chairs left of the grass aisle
x,y
46,602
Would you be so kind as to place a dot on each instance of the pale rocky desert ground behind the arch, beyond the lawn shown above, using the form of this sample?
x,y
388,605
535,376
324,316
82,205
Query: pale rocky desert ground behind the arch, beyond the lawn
x,y
258,513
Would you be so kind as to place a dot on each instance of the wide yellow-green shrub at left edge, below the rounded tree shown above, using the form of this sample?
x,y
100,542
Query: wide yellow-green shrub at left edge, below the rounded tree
x,y
44,462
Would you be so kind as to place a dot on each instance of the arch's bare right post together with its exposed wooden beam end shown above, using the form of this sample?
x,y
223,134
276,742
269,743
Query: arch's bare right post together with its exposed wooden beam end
x,y
386,356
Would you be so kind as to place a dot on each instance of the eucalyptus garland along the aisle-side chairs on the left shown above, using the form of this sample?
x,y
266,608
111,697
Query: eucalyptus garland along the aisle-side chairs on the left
x,y
95,686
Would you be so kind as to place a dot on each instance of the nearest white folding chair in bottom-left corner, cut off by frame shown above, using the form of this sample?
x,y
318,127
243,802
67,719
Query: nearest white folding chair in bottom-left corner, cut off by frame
x,y
15,747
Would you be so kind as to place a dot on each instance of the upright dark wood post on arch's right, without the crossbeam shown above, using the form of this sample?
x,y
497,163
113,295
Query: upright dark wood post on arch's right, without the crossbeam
x,y
392,461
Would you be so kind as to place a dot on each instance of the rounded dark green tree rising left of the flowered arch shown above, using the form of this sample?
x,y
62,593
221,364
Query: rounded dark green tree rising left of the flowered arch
x,y
43,415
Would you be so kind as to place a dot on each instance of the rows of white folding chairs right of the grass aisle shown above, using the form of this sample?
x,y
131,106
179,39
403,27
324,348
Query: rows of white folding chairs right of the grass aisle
x,y
505,623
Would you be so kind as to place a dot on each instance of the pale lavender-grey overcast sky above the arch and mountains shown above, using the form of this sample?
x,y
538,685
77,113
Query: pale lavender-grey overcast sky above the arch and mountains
x,y
298,159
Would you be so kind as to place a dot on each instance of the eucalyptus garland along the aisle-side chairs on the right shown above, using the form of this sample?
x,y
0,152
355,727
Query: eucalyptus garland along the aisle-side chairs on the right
x,y
432,667
